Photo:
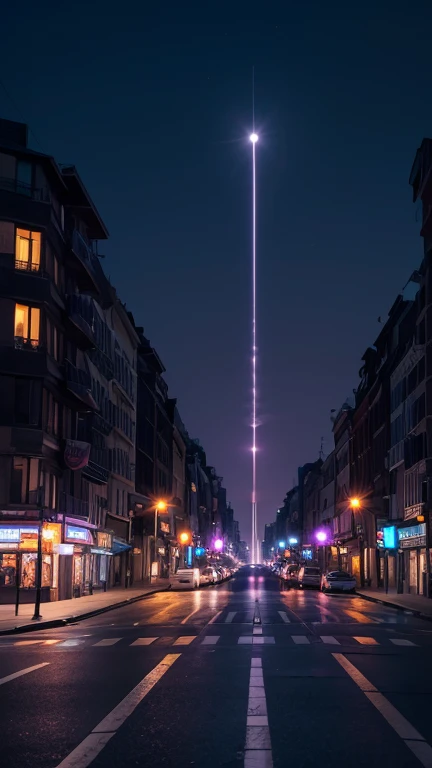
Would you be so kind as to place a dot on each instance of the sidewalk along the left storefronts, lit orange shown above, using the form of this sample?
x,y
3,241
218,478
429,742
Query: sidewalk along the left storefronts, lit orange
x,y
63,612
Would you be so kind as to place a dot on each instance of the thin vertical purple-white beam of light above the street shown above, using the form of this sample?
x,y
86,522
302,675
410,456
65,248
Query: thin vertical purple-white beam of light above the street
x,y
254,138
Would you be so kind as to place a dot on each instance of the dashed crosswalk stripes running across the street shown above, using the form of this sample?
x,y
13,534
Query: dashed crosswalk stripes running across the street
x,y
255,638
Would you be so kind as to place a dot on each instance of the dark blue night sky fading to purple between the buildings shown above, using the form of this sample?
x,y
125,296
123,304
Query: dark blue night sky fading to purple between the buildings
x,y
154,109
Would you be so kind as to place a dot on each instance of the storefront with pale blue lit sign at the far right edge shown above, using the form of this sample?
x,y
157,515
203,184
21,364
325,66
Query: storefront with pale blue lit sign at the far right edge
x,y
412,543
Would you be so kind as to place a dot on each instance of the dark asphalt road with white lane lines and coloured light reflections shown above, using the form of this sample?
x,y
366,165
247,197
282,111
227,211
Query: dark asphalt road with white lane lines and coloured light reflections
x,y
244,673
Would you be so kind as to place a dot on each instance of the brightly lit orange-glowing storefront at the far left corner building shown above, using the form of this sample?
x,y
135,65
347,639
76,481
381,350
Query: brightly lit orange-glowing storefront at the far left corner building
x,y
18,561
